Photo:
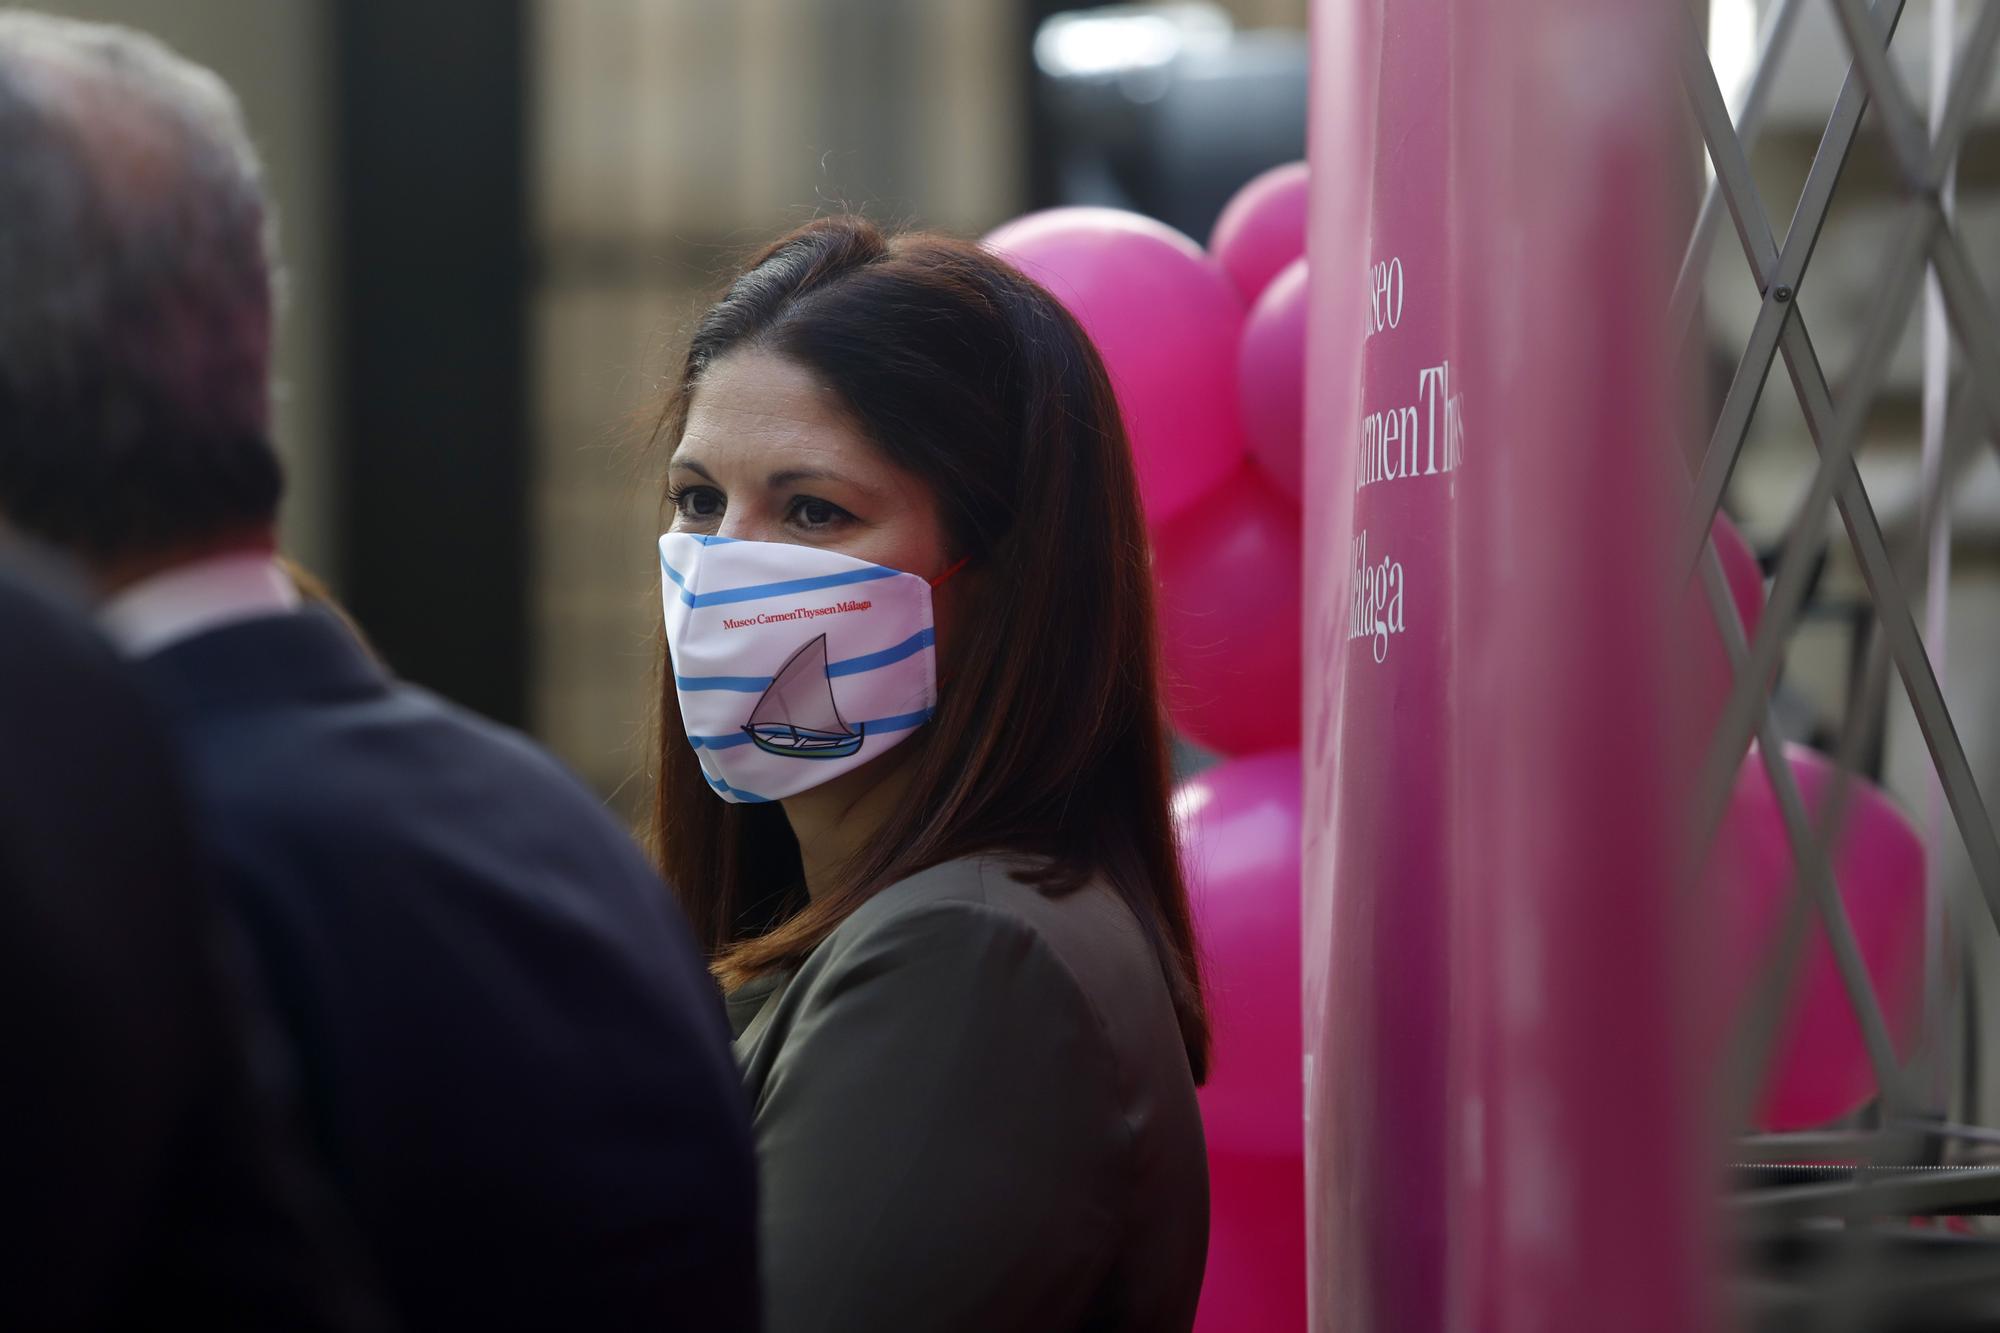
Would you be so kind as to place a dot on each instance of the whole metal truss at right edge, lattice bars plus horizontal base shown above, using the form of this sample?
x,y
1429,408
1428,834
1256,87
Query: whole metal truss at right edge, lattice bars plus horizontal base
x,y
1857,1242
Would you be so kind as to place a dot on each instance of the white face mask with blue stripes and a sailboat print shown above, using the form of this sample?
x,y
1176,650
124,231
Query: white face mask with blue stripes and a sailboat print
x,y
793,665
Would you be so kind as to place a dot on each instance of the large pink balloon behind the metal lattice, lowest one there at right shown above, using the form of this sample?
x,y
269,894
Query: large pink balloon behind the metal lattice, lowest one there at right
x,y
1819,1070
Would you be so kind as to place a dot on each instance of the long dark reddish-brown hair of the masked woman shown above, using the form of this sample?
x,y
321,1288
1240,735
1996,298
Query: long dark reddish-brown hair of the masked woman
x,y
1051,736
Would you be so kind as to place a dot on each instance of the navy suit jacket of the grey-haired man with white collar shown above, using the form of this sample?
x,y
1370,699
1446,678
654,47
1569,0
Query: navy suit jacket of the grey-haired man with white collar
x,y
511,1050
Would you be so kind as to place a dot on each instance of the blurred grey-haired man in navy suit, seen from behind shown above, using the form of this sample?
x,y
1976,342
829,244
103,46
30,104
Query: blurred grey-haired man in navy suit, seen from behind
x,y
511,1052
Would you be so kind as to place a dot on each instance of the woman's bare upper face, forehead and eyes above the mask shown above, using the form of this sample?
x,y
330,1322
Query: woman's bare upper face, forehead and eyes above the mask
x,y
769,455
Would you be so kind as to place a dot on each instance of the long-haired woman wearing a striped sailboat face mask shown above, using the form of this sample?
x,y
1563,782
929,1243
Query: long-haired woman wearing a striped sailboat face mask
x,y
911,647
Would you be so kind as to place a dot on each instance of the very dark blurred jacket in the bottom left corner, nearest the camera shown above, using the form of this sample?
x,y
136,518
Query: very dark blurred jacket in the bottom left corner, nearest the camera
x,y
147,1174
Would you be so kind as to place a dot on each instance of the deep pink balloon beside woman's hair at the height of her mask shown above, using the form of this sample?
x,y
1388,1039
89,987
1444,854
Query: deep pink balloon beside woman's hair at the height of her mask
x,y
1229,577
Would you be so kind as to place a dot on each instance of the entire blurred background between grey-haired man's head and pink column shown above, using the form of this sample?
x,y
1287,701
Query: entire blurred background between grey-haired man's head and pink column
x,y
501,217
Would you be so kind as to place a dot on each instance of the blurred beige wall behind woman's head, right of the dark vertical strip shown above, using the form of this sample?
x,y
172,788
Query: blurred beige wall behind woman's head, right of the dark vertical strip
x,y
671,141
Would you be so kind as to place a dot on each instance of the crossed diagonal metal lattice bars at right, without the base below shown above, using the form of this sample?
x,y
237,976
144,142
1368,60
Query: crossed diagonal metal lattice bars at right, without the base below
x,y
1781,329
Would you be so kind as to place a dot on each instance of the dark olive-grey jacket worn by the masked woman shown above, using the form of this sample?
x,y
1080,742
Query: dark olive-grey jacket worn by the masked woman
x,y
975,1116
